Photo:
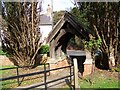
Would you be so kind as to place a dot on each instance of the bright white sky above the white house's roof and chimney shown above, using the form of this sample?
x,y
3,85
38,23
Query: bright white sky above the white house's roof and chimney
x,y
58,4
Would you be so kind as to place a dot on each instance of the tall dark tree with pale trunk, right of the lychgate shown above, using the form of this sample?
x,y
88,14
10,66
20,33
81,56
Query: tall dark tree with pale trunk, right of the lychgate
x,y
104,20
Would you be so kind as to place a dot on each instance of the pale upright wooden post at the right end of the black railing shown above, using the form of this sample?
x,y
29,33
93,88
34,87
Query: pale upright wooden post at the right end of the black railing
x,y
77,87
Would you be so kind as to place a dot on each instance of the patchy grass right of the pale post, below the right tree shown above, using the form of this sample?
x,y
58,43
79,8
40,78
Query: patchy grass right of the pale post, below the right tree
x,y
100,79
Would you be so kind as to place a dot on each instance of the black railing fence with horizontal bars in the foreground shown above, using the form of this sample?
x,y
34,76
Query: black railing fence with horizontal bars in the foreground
x,y
45,71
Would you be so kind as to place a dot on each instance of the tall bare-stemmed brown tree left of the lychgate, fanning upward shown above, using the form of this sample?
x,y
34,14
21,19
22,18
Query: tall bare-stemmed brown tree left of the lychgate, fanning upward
x,y
21,37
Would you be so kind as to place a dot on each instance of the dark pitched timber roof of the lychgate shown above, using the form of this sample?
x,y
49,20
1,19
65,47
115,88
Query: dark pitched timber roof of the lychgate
x,y
69,21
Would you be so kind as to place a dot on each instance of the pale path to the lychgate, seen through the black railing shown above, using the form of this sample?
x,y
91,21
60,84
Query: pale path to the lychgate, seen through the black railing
x,y
57,84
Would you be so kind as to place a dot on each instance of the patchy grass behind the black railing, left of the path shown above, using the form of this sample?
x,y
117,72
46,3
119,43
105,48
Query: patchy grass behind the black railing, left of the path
x,y
25,81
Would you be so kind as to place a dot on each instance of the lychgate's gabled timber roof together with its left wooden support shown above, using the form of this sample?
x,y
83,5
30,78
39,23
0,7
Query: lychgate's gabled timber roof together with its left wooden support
x,y
66,28
